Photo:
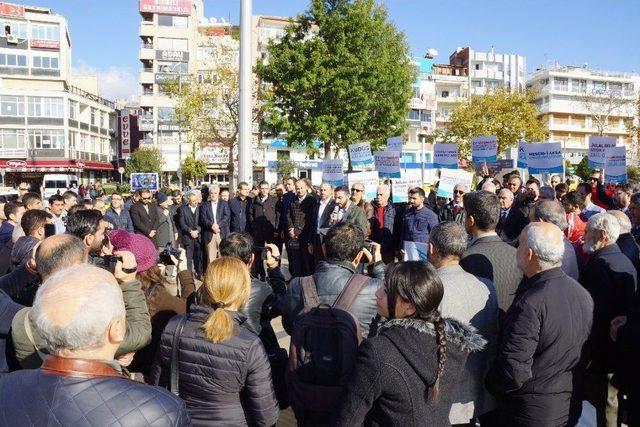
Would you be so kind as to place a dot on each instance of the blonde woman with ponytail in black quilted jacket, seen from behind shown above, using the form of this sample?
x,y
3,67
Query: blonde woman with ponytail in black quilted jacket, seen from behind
x,y
224,374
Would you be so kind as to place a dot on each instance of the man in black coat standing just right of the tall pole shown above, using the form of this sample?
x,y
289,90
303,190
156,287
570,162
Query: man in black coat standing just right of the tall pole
x,y
262,222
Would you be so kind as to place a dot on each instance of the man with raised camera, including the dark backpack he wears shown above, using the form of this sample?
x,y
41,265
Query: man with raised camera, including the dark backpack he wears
x,y
327,315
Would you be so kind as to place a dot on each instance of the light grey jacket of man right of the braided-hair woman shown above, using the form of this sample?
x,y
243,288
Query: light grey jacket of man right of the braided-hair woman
x,y
470,299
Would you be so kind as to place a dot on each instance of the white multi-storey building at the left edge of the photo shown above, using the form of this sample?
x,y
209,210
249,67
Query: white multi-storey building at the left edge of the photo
x,y
50,120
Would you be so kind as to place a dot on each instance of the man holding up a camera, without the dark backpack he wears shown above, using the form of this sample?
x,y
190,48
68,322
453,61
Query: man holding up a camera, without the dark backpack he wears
x,y
344,248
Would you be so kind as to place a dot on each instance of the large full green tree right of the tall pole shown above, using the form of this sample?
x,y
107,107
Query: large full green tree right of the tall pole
x,y
341,74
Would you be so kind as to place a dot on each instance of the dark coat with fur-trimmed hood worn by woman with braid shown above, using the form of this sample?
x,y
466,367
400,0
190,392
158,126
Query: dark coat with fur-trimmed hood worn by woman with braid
x,y
395,375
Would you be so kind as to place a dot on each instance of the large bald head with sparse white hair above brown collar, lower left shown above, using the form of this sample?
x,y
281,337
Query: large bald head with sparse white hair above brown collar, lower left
x,y
96,303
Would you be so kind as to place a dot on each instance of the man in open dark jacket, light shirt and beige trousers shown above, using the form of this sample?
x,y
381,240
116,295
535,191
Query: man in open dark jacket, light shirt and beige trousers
x,y
214,223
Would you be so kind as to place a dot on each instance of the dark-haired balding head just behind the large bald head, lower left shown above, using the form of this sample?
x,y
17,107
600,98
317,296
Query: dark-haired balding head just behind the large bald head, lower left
x,y
58,252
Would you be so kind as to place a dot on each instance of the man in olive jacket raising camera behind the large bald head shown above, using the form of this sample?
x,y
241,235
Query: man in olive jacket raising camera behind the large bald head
x,y
61,251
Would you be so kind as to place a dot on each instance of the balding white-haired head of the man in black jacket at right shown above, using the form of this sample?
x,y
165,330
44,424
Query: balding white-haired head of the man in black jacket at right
x,y
541,248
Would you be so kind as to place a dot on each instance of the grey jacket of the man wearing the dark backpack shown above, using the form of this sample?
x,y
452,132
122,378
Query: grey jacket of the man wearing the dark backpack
x,y
331,277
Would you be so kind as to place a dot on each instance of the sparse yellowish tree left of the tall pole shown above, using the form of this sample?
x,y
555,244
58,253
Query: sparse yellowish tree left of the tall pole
x,y
207,105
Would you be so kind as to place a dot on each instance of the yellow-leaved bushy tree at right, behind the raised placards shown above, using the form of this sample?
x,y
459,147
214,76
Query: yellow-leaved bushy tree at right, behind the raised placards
x,y
511,116
